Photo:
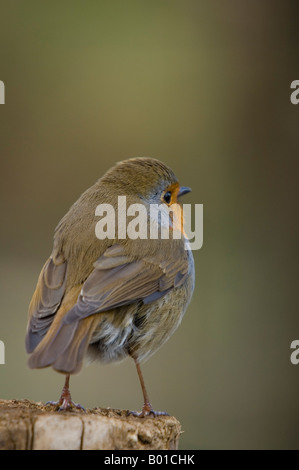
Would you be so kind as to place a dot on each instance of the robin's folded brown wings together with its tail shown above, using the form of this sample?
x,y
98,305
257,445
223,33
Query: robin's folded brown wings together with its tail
x,y
115,281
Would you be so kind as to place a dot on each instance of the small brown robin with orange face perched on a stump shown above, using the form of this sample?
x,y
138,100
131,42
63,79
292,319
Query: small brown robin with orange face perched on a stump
x,y
108,299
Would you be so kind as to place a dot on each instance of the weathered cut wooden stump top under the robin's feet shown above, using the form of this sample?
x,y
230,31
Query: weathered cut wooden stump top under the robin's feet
x,y
27,425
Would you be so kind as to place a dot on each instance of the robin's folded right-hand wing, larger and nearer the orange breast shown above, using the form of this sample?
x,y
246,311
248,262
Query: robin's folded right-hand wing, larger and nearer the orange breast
x,y
117,281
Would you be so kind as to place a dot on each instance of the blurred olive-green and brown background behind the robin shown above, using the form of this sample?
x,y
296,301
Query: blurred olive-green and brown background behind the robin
x,y
205,87
